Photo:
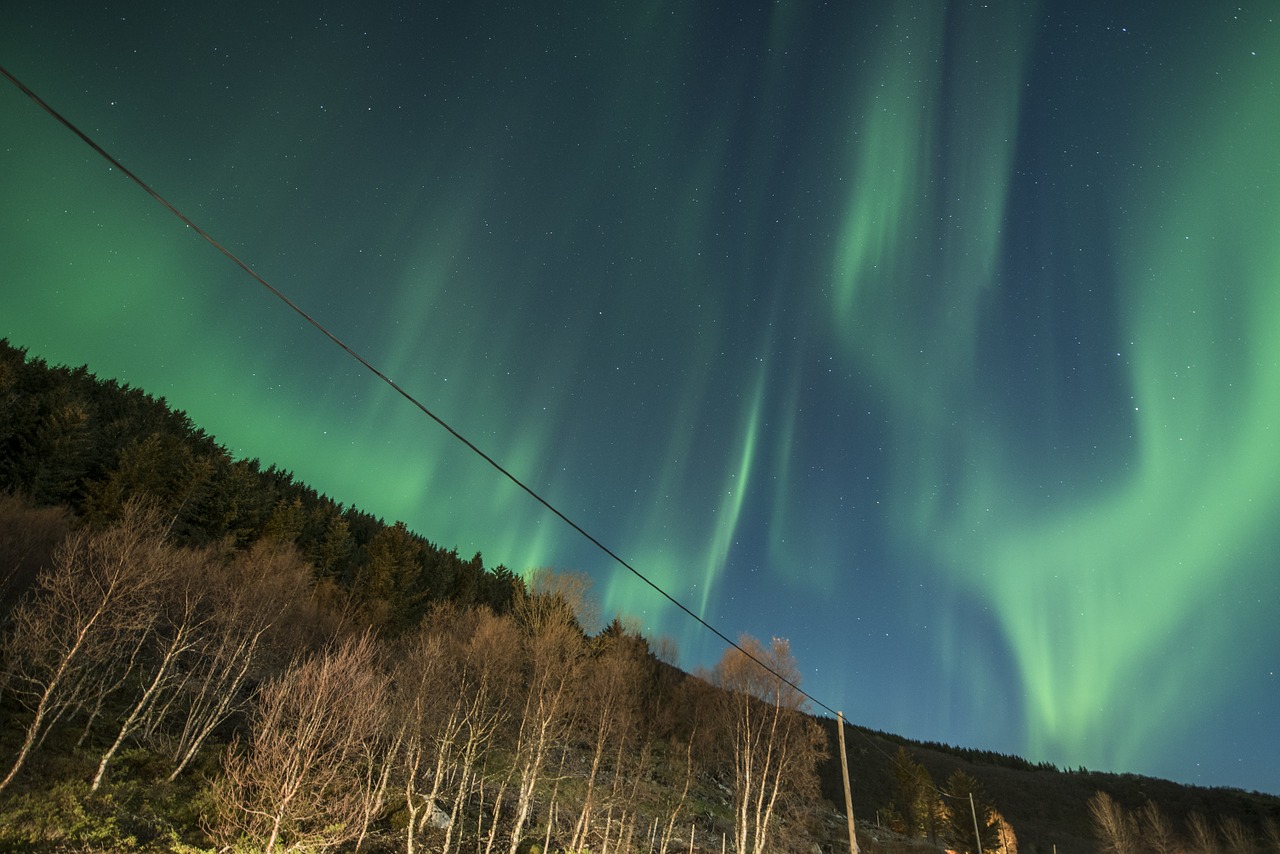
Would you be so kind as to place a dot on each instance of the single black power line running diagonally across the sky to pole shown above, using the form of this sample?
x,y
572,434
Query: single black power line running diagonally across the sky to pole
x,y
390,382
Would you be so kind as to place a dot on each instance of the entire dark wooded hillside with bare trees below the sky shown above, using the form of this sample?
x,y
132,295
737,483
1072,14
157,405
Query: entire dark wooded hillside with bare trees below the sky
x,y
200,654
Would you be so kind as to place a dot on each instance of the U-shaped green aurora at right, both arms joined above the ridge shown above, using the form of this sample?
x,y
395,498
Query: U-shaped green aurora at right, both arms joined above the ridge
x,y
1095,593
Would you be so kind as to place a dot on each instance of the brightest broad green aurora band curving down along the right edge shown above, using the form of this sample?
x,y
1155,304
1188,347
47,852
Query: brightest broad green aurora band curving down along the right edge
x,y
1204,483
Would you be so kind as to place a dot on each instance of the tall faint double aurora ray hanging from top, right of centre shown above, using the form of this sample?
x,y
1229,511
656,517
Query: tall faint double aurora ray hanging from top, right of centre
x,y
922,227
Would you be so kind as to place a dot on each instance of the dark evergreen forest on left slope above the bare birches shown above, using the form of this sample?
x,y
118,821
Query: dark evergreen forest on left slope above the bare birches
x,y
68,439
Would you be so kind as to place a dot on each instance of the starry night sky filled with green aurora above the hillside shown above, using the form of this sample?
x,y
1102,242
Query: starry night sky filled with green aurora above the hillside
x,y
936,337
